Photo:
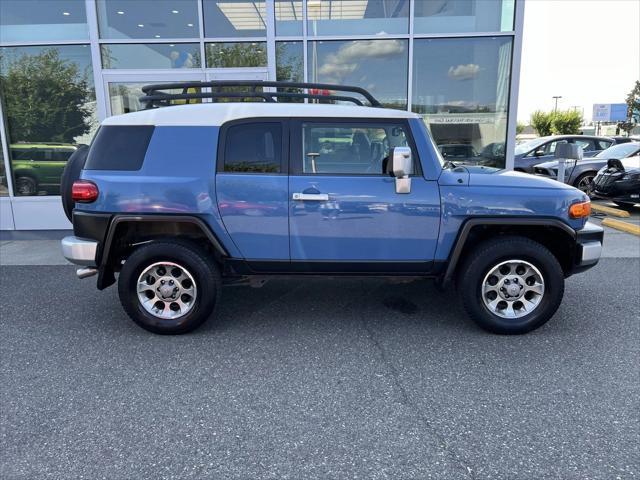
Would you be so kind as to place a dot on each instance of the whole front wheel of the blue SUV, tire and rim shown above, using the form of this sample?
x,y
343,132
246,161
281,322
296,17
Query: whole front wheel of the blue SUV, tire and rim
x,y
511,285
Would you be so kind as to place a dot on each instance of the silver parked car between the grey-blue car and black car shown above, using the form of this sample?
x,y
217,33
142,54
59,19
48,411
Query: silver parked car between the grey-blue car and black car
x,y
580,174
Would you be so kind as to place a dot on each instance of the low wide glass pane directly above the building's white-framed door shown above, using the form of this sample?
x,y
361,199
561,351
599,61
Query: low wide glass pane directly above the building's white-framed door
x,y
151,55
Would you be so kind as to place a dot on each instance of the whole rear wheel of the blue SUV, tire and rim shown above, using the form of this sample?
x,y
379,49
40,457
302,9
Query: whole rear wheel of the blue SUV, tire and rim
x,y
169,287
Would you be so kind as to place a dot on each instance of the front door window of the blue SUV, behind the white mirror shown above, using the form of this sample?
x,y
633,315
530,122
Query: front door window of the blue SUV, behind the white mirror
x,y
349,149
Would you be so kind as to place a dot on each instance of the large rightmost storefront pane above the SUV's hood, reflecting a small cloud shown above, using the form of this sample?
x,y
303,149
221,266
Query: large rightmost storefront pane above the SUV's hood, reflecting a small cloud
x,y
461,88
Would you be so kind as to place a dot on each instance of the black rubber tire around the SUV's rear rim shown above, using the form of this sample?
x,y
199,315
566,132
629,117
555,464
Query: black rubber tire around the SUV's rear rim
x,y
190,258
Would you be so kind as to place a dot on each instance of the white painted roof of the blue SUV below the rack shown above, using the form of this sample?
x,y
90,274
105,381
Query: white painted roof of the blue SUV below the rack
x,y
215,114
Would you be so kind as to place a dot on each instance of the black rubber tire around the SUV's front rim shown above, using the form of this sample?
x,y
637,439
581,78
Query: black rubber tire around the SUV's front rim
x,y
491,253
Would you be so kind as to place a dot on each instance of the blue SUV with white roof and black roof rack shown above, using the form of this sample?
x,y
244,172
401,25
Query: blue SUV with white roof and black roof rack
x,y
179,201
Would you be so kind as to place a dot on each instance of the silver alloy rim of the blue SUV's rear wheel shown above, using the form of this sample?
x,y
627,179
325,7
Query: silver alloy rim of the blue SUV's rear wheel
x,y
167,290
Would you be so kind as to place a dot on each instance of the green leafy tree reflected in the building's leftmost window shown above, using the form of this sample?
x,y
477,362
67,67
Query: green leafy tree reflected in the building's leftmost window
x,y
45,98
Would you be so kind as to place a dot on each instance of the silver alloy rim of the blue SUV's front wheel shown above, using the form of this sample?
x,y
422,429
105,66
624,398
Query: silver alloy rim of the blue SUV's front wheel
x,y
512,289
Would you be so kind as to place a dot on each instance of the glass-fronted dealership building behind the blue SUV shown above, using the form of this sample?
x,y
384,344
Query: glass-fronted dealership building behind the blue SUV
x,y
67,64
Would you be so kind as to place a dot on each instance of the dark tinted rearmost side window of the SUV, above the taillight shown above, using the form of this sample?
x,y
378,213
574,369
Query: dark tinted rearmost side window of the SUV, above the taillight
x,y
119,147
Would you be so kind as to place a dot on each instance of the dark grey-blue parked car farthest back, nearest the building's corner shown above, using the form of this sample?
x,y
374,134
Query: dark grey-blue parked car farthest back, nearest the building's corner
x,y
534,152
